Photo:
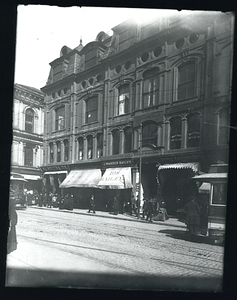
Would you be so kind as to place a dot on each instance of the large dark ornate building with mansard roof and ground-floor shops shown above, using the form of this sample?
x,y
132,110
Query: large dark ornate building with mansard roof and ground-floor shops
x,y
153,98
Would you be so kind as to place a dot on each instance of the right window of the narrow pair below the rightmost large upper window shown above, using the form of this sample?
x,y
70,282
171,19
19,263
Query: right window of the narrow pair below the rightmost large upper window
x,y
193,131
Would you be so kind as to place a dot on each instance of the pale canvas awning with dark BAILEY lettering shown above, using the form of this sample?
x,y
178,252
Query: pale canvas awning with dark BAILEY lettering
x,y
116,178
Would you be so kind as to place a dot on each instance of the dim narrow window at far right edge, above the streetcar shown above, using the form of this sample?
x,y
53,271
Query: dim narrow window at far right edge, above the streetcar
x,y
224,123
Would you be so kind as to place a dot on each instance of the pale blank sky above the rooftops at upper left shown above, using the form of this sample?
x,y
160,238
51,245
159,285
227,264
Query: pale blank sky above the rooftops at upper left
x,y
43,30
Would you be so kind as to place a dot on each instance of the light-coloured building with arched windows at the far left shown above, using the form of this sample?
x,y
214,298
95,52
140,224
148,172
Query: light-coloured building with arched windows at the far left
x,y
28,128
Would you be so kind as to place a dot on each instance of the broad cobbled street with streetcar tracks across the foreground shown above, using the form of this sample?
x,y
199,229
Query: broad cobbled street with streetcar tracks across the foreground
x,y
57,248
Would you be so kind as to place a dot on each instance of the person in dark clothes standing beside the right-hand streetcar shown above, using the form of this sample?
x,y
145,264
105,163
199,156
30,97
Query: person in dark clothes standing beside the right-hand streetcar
x,y
193,216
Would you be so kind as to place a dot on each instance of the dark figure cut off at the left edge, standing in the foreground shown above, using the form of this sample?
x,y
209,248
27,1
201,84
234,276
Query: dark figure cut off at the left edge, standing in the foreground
x,y
12,221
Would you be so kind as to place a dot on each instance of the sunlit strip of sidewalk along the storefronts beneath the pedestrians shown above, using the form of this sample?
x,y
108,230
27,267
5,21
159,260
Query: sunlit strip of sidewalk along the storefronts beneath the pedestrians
x,y
173,222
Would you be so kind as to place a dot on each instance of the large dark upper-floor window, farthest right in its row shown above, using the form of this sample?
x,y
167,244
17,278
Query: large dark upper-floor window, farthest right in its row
x,y
186,81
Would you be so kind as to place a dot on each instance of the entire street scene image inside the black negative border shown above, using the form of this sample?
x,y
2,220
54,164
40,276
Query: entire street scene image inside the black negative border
x,y
120,150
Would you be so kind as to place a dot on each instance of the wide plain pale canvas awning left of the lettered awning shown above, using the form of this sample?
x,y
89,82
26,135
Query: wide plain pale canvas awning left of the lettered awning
x,y
82,178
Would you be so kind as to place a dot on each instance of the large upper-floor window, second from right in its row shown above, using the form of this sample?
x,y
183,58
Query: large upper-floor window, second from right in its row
x,y
150,95
